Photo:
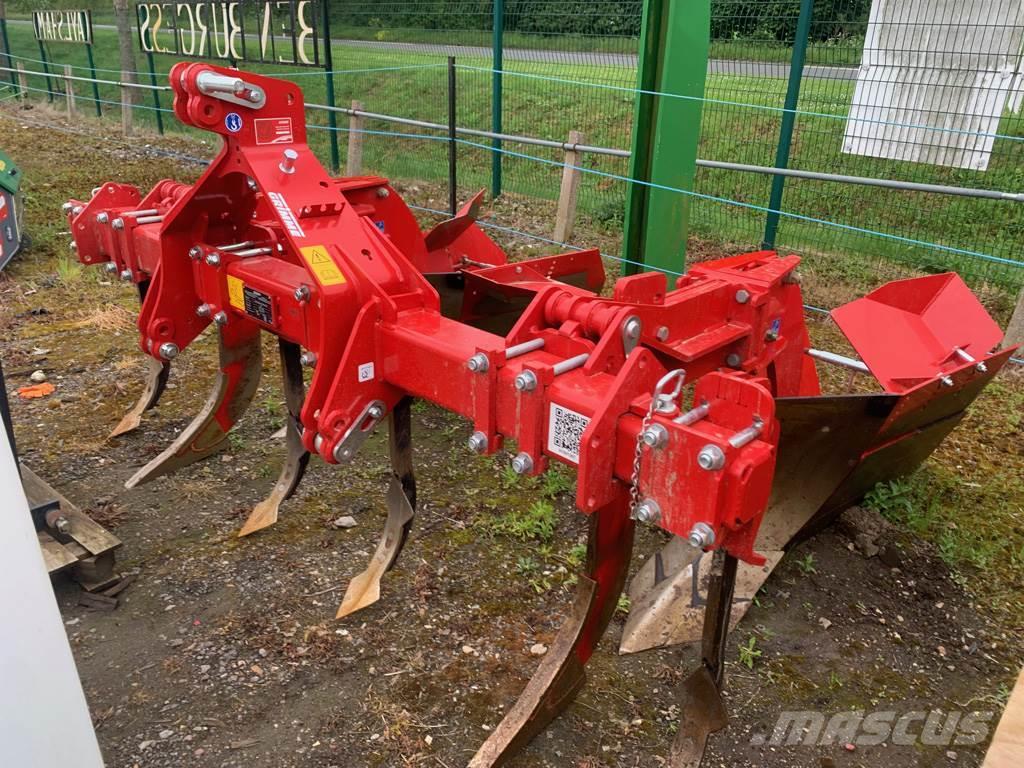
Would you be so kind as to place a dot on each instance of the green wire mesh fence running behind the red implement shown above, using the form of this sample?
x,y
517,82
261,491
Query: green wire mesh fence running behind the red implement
x,y
910,91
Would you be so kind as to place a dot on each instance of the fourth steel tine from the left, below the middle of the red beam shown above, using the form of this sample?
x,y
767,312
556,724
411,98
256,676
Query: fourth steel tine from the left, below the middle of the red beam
x,y
365,589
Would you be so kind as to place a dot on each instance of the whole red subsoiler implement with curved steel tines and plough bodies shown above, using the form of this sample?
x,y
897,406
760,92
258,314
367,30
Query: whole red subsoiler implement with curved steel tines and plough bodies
x,y
697,409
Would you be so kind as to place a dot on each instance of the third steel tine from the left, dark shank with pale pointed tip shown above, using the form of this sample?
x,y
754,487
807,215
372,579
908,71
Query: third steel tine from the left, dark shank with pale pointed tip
x,y
297,458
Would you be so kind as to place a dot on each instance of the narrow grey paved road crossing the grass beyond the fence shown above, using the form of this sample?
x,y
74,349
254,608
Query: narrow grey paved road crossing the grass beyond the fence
x,y
629,61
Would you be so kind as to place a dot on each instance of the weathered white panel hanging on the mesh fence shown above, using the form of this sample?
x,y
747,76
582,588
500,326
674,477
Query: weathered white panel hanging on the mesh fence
x,y
935,78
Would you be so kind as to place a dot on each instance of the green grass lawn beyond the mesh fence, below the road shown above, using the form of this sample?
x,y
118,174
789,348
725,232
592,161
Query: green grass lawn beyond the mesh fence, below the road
x,y
548,101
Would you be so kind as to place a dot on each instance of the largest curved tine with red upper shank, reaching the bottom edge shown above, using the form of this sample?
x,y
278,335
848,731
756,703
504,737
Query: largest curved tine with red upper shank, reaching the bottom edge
x,y
561,674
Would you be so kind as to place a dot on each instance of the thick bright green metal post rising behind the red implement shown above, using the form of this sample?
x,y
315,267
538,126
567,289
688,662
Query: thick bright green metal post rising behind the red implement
x,y
674,47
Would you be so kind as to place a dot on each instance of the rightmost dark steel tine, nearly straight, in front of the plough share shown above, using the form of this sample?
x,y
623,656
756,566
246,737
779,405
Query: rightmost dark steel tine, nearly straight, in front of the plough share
x,y
702,709
